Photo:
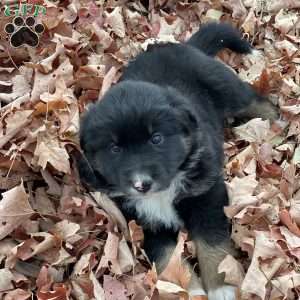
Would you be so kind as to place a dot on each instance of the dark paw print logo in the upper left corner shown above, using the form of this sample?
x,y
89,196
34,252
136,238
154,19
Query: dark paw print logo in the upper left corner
x,y
24,32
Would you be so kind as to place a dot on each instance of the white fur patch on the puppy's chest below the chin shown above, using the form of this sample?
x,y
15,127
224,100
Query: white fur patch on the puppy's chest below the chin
x,y
157,208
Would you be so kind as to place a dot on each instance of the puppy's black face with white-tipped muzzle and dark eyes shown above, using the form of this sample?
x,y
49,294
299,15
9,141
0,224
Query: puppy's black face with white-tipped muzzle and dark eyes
x,y
134,140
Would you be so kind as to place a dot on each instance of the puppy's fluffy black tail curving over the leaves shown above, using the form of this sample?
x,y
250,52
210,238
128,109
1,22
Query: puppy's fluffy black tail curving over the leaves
x,y
213,37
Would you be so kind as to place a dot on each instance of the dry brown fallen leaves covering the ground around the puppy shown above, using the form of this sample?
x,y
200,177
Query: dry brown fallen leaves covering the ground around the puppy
x,y
58,242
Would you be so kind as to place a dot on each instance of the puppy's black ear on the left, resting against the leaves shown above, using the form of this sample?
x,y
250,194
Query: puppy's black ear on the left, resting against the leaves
x,y
88,176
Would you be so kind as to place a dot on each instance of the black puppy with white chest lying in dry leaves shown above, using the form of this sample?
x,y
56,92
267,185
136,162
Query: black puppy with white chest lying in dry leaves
x,y
154,145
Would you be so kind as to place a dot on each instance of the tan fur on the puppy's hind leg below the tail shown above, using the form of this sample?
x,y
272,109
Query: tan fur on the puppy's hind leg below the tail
x,y
264,109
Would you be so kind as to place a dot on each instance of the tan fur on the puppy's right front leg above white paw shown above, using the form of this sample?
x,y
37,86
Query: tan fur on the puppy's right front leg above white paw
x,y
209,258
